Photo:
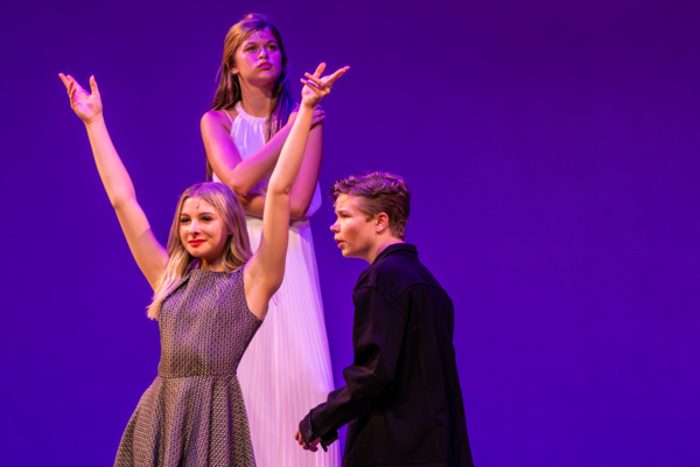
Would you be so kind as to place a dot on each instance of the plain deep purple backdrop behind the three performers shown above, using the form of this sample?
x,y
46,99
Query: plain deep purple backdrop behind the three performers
x,y
552,151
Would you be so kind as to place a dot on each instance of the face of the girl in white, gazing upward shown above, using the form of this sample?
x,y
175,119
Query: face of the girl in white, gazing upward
x,y
258,60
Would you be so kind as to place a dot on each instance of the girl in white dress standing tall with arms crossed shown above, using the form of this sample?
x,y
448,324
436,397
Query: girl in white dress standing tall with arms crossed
x,y
286,370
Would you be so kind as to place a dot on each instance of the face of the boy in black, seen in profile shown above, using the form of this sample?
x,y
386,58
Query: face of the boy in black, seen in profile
x,y
356,235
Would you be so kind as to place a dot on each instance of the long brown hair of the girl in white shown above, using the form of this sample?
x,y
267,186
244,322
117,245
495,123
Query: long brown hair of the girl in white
x,y
228,91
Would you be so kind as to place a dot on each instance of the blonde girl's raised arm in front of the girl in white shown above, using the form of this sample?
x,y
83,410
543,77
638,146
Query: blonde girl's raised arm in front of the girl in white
x,y
265,270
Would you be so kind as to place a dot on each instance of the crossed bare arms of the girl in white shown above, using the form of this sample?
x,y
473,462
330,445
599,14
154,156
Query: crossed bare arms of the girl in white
x,y
242,175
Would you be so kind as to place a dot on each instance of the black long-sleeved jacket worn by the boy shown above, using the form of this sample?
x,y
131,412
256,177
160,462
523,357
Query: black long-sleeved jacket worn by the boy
x,y
402,401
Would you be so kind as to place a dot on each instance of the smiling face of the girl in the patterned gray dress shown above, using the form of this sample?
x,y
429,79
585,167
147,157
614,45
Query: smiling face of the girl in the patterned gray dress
x,y
202,232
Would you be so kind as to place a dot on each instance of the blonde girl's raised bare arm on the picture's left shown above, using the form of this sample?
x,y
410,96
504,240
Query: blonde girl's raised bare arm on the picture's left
x,y
150,255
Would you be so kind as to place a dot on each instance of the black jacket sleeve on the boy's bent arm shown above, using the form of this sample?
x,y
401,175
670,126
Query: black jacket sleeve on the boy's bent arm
x,y
377,337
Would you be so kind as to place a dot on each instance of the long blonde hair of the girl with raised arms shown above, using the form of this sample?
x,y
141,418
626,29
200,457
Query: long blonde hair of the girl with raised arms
x,y
236,252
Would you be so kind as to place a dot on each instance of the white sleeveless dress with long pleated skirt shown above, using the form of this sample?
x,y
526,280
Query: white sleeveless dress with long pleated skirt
x,y
286,370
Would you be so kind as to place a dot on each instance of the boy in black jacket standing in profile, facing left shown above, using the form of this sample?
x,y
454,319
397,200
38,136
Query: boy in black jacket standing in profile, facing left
x,y
402,401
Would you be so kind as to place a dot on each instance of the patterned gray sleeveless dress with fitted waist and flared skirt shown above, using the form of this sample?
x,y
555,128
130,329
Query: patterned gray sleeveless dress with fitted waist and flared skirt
x,y
193,413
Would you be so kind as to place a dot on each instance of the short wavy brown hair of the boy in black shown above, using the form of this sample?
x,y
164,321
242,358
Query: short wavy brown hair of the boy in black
x,y
380,192
